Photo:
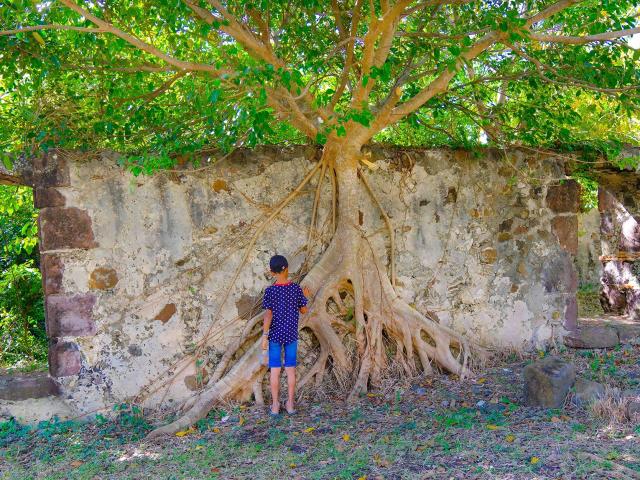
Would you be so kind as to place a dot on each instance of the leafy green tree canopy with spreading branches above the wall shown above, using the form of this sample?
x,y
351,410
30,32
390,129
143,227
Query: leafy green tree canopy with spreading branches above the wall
x,y
158,80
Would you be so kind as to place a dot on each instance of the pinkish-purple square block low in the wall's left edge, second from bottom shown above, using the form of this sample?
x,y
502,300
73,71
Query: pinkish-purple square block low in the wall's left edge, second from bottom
x,y
70,315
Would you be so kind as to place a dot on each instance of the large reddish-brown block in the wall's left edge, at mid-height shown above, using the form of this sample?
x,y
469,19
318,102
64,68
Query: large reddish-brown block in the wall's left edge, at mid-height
x,y
62,228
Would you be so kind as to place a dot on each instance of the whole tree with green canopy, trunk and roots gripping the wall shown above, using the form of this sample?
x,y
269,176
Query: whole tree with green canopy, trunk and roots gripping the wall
x,y
144,77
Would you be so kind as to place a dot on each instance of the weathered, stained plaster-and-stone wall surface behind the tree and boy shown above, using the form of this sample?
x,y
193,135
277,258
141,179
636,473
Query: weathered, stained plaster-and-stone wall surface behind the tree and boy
x,y
134,268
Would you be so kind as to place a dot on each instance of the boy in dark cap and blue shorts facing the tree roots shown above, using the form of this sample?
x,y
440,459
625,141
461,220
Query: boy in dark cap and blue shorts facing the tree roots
x,y
283,302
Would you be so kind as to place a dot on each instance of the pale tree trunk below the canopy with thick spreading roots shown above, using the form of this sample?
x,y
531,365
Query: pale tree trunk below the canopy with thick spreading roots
x,y
349,270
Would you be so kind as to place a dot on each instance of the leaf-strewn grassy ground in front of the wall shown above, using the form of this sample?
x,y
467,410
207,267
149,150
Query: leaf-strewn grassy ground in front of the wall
x,y
436,427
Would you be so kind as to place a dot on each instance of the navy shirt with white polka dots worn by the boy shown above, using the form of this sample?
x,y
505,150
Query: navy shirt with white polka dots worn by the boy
x,y
284,300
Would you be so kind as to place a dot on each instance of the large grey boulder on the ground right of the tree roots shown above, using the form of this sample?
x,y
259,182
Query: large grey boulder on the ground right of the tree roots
x,y
547,382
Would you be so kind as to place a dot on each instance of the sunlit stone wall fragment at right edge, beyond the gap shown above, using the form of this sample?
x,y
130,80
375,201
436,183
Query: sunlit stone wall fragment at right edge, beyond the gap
x,y
619,205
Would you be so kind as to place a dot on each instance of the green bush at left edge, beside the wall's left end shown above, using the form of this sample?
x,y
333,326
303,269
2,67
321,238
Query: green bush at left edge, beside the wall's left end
x,y
23,340
